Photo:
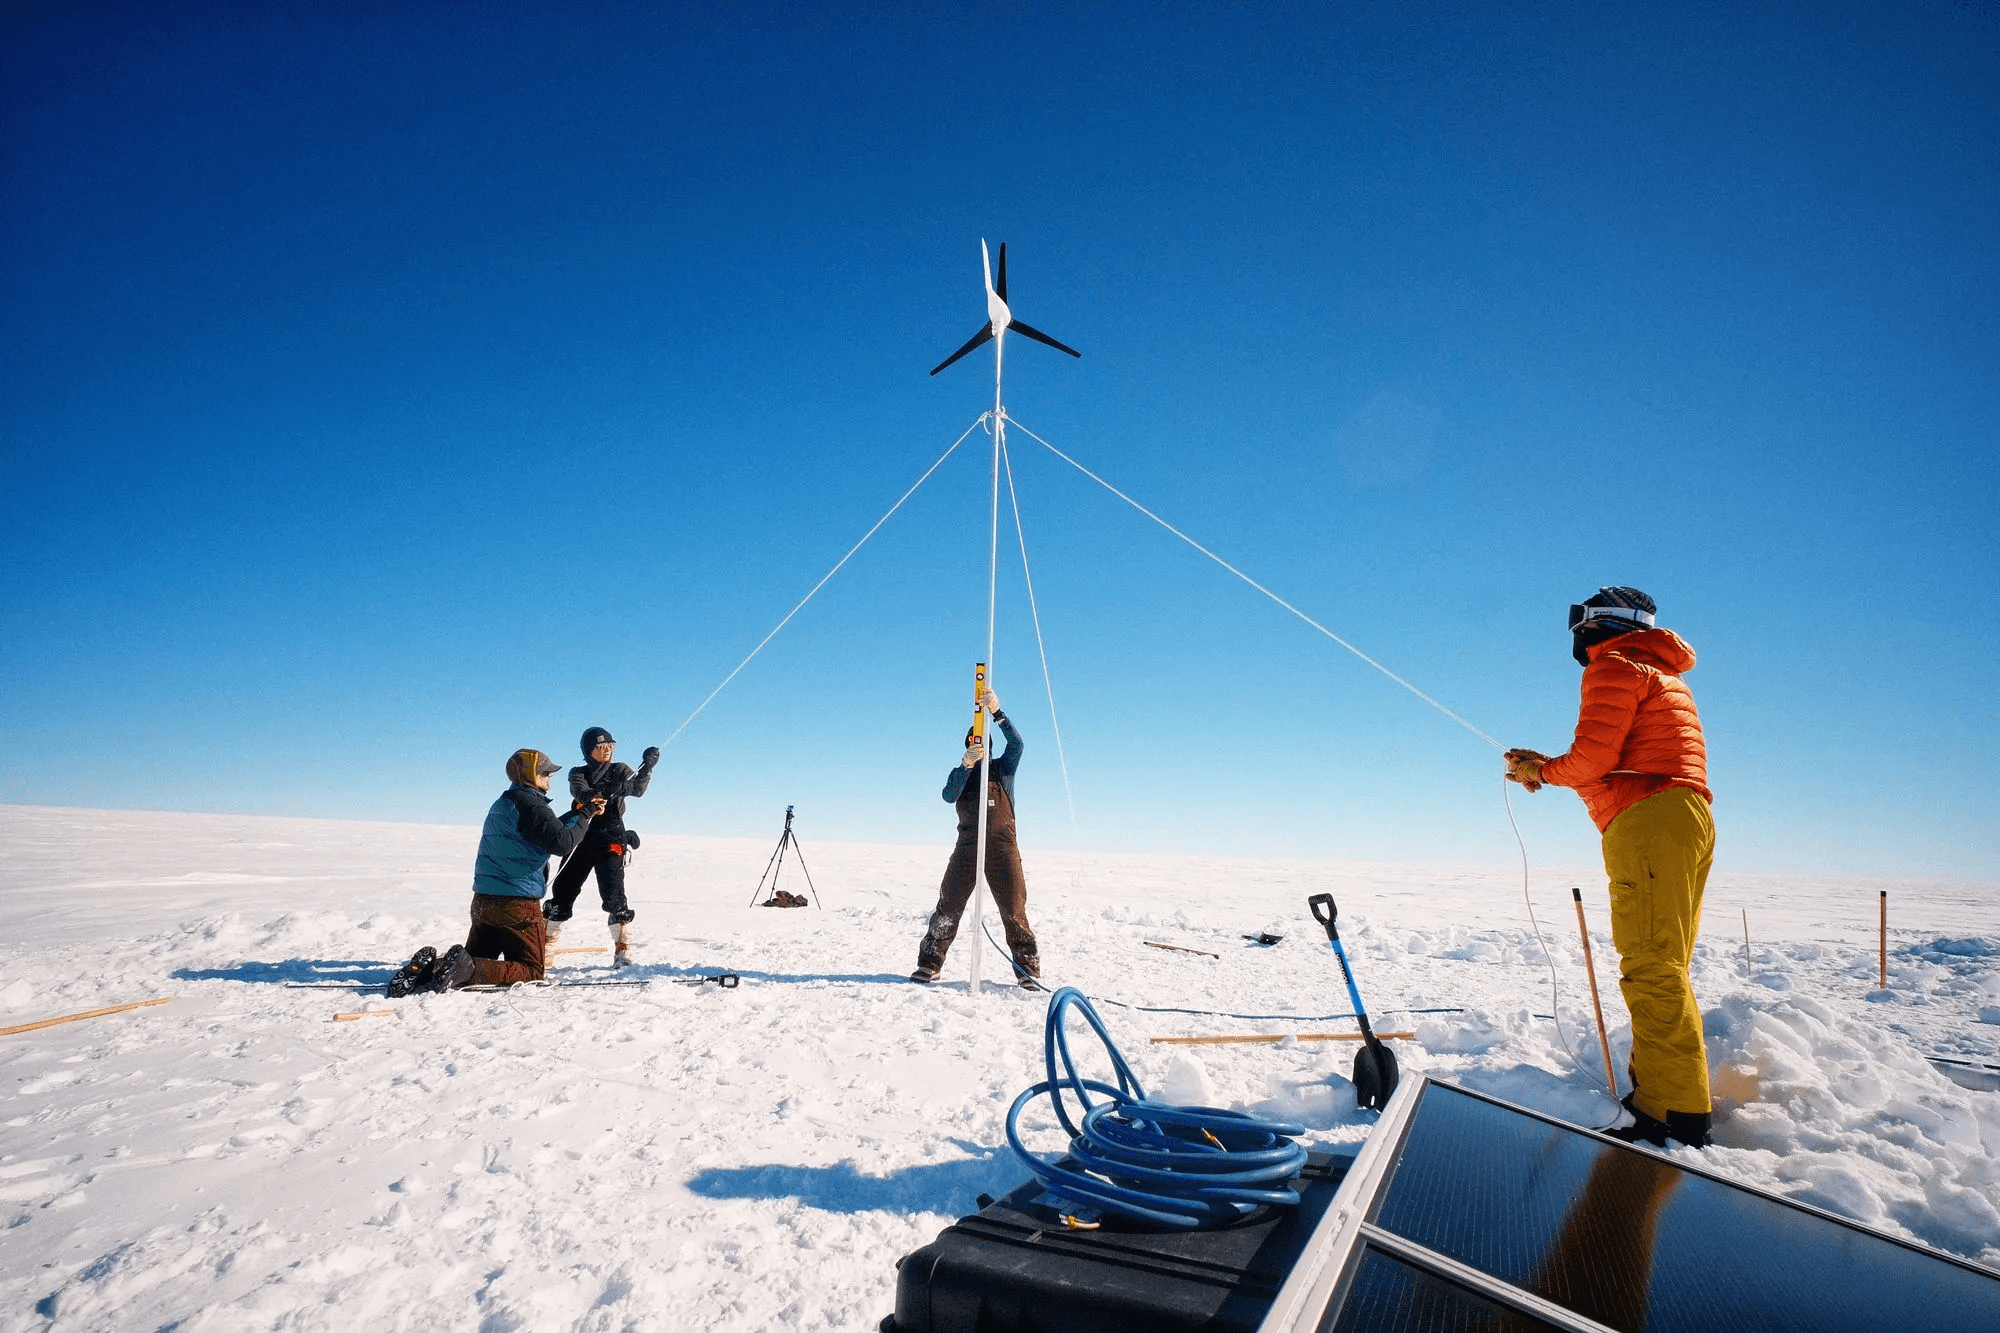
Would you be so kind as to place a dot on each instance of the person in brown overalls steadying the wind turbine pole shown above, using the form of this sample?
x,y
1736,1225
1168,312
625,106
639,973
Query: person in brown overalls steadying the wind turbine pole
x,y
1005,878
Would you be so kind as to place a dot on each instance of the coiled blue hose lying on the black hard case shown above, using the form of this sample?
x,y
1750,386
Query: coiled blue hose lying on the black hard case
x,y
1181,1168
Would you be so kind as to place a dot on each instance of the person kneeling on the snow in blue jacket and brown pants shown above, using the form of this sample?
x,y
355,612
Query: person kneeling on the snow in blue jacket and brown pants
x,y
509,942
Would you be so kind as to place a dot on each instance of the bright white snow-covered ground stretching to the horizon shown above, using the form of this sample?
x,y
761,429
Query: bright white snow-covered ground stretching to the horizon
x,y
687,1158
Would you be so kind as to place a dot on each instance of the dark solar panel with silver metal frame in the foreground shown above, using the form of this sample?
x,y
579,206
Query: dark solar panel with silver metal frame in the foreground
x,y
1471,1214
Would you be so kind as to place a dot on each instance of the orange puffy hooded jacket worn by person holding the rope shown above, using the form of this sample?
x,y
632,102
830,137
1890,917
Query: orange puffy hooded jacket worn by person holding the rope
x,y
1637,732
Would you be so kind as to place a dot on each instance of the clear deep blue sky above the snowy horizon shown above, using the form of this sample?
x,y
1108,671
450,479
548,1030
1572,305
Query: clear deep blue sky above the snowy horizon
x,y
391,385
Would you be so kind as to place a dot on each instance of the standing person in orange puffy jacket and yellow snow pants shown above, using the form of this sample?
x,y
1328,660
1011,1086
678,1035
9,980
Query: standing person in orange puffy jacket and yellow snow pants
x,y
1641,766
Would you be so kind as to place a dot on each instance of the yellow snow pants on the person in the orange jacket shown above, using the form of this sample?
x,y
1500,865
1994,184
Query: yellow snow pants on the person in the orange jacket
x,y
1657,858
